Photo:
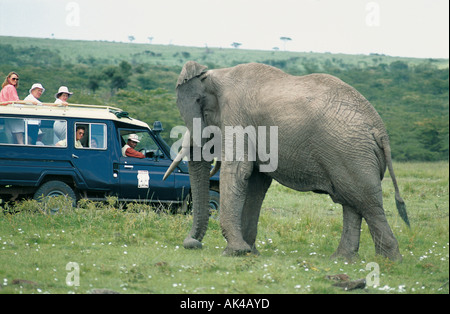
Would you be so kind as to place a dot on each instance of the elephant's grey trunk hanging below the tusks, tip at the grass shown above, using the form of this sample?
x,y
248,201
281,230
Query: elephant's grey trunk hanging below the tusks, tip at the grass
x,y
199,176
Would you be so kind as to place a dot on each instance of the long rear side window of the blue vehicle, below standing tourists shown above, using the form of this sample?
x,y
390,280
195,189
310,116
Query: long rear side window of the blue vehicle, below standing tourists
x,y
32,132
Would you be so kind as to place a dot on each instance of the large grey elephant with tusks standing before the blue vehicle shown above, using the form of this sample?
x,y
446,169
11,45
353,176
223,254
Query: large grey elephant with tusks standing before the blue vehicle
x,y
331,140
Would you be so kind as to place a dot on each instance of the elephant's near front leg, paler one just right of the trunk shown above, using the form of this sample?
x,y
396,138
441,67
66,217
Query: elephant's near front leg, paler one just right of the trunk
x,y
234,179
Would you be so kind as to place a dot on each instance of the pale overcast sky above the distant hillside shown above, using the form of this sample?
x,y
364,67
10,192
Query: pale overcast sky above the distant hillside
x,y
406,28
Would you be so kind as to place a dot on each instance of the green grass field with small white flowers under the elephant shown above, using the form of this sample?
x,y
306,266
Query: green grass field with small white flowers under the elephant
x,y
102,246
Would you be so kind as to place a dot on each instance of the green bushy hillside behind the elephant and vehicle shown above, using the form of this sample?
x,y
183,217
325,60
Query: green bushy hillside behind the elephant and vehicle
x,y
410,94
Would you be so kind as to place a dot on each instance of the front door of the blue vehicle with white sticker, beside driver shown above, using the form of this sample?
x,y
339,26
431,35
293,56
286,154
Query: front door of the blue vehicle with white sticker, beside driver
x,y
141,179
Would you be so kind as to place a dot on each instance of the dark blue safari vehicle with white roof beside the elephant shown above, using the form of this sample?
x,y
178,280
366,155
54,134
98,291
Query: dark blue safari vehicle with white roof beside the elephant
x,y
40,156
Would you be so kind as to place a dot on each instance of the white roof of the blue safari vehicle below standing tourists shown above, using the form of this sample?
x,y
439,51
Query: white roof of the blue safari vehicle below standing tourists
x,y
69,111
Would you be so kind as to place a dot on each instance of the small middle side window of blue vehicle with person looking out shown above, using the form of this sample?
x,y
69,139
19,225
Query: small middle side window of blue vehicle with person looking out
x,y
94,136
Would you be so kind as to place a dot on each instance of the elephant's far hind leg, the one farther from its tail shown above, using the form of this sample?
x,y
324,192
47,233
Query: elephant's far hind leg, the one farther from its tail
x,y
349,244
